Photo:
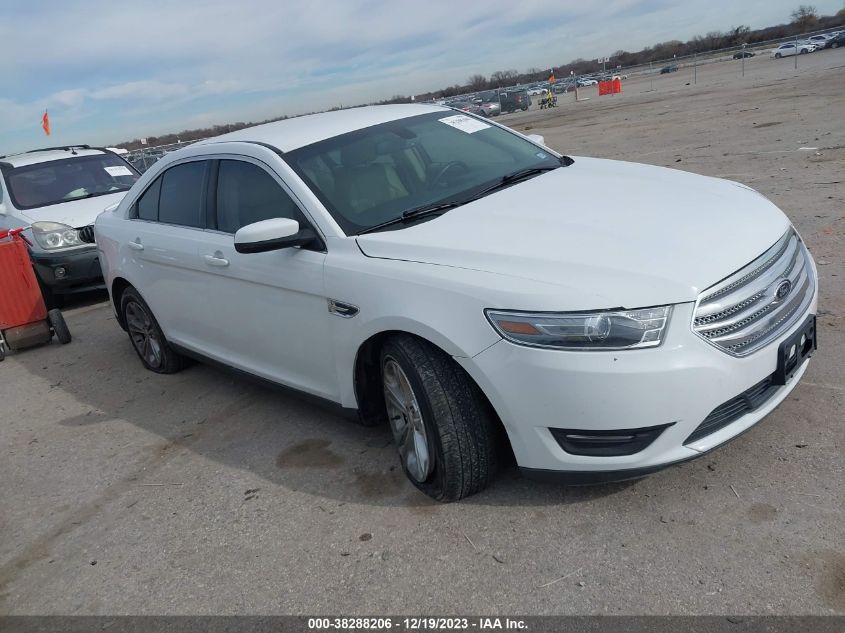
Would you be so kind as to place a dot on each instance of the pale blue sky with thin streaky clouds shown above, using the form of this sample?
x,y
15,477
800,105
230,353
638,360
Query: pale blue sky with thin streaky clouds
x,y
111,71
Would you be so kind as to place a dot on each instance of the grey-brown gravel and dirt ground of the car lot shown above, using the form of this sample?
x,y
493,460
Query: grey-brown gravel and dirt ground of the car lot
x,y
125,492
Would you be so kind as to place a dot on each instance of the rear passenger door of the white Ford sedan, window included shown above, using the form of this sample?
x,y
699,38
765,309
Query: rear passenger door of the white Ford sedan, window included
x,y
167,225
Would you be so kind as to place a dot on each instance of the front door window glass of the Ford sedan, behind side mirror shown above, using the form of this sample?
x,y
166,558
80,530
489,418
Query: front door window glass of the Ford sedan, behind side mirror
x,y
246,194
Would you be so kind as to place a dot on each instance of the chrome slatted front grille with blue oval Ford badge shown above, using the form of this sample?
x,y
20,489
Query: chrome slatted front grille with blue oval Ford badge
x,y
744,312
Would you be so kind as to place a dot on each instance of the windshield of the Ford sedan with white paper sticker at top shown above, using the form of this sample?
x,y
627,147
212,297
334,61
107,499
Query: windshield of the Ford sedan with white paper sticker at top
x,y
371,176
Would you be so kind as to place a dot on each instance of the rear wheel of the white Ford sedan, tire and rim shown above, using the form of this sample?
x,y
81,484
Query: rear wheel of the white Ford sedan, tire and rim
x,y
146,336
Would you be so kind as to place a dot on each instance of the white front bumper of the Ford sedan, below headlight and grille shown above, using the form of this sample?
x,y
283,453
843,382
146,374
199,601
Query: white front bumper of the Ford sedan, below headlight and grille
x,y
677,384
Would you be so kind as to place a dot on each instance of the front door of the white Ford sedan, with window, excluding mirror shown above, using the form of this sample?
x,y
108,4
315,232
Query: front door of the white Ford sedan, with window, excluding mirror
x,y
266,313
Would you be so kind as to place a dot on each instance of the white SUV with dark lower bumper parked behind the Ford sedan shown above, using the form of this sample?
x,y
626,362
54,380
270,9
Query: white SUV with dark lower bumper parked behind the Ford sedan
x,y
53,193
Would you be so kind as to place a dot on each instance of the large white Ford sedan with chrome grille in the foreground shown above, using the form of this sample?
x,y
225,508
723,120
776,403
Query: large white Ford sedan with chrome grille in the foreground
x,y
382,259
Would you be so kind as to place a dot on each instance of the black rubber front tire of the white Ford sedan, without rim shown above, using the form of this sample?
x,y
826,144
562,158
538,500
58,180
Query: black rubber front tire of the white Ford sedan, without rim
x,y
458,420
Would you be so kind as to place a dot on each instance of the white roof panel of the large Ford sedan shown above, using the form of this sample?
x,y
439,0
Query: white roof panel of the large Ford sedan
x,y
291,134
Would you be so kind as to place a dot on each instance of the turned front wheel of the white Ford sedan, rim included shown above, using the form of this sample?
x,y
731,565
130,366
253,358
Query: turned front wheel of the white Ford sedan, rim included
x,y
442,425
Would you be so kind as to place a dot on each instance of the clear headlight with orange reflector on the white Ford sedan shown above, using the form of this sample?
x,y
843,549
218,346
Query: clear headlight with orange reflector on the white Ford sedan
x,y
625,329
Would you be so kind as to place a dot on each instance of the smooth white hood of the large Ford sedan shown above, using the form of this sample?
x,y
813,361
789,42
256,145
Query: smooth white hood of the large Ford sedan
x,y
609,233
